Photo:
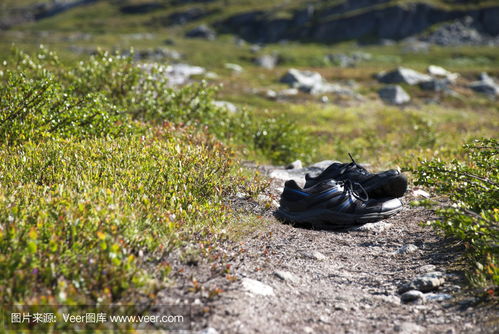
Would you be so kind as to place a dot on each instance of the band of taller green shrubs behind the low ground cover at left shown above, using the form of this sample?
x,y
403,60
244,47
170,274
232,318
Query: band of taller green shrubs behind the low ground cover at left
x,y
100,96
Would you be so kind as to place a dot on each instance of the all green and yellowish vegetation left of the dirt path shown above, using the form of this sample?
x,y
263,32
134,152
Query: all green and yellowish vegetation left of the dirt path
x,y
90,194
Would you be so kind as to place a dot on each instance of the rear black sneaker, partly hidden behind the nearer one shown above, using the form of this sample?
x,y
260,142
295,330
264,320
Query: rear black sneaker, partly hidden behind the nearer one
x,y
390,183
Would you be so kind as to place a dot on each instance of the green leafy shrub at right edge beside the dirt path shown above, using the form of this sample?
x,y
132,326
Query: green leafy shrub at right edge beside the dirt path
x,y
471,213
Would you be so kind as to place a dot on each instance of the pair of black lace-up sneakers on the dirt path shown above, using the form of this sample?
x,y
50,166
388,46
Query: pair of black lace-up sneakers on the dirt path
x,y
343,195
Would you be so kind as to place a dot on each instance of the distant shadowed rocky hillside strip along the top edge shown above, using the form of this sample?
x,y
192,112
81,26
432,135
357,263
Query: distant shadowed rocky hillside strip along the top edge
x,y
256,21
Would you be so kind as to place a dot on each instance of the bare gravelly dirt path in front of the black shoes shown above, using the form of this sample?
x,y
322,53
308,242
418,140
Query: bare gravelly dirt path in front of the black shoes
x,y
353,289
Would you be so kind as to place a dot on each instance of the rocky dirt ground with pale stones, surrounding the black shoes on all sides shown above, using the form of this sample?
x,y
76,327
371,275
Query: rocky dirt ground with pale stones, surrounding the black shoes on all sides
x,y
297,279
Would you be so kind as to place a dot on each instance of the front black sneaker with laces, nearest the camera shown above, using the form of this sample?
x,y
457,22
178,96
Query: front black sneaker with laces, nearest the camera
x,y
333,203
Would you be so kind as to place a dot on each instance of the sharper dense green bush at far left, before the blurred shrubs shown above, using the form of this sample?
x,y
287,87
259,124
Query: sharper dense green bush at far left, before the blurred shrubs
x,y
35,104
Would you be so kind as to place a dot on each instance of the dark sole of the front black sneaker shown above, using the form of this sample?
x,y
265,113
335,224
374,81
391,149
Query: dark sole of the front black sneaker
x,y
332,218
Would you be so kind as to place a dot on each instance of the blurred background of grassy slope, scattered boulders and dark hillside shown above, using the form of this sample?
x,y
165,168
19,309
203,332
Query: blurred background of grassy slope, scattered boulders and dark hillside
x,y
382,79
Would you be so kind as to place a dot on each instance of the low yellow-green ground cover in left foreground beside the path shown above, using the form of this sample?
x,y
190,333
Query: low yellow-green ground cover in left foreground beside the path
x,y
79,221
